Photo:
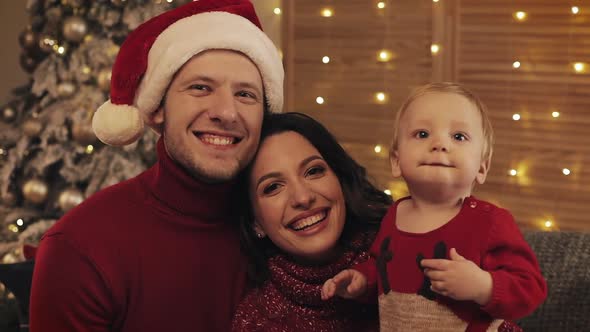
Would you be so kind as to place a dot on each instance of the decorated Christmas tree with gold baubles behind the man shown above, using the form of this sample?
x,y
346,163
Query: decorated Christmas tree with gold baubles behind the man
x,y
50,160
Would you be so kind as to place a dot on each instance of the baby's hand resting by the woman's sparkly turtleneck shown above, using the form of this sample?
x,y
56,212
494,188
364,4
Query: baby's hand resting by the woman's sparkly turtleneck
x,y
349,284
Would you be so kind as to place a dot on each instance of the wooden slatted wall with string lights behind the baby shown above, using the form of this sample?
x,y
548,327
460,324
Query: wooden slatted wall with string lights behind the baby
x,y
479,40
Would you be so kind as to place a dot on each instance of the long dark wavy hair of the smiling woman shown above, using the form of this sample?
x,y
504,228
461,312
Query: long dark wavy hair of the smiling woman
x,y
365,204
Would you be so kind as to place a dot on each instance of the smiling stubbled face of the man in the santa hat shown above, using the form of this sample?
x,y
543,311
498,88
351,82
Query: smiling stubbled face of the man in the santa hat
x,y
212,115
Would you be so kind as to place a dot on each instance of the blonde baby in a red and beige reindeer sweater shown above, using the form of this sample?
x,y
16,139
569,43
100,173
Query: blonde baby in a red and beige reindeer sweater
x,y
444,260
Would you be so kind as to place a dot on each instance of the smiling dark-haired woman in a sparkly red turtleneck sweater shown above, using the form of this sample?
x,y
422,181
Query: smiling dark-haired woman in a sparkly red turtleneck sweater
x,y
311,213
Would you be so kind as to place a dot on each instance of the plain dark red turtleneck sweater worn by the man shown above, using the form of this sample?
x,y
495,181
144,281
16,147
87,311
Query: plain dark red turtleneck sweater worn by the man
x,y
159,252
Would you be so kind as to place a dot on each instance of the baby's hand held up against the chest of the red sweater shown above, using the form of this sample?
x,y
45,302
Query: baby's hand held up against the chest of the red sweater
x,y
459,278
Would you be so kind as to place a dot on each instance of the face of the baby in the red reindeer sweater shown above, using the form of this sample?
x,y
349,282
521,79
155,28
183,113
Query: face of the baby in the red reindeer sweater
x,y
440,143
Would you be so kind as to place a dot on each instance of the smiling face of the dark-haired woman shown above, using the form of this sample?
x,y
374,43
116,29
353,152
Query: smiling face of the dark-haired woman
x,y
297,198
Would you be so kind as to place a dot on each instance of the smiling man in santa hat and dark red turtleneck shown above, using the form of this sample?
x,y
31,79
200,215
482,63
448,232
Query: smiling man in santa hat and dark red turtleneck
x,y
160,252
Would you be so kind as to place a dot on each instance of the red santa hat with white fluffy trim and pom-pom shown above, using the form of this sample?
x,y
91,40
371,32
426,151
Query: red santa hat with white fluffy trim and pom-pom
x,y
152,53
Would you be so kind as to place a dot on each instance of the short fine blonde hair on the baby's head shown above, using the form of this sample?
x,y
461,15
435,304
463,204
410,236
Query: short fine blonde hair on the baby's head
x,y
448,87
